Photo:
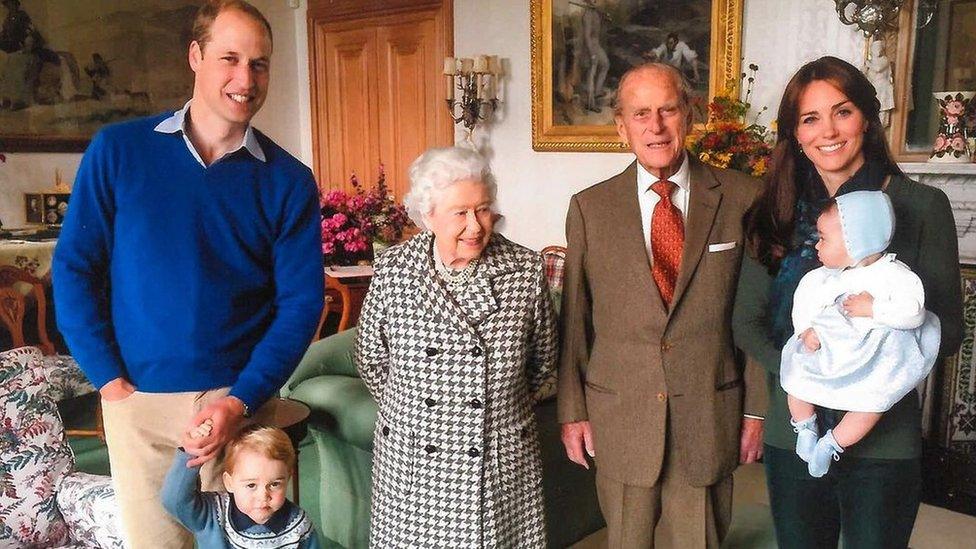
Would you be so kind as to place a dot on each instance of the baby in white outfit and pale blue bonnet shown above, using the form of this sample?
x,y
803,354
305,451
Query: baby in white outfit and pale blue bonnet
x,y
863,337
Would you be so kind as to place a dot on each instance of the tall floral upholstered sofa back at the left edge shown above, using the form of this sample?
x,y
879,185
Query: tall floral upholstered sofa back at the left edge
x,y
34,456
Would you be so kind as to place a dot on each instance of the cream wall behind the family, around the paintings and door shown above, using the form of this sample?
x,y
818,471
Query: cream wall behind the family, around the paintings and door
x,y
533,188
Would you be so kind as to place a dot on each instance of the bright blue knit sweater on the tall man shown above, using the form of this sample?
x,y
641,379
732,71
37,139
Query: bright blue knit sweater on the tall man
x,y
184,278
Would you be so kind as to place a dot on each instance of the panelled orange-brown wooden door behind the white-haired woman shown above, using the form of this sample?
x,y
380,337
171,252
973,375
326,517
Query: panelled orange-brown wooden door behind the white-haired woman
x,y
378,95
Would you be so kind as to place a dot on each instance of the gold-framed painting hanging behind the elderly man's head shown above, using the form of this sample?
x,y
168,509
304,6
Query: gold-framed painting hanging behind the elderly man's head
x,y
581,48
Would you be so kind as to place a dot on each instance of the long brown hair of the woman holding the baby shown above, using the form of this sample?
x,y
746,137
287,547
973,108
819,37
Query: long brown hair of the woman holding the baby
x,y
769,223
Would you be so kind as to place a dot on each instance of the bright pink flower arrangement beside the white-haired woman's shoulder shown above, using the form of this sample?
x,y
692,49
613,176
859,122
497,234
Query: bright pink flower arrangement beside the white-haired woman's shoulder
x,y
351,223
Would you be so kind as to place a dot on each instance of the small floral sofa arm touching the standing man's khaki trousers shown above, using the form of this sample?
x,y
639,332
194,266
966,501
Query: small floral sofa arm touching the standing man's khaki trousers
x,y
89,507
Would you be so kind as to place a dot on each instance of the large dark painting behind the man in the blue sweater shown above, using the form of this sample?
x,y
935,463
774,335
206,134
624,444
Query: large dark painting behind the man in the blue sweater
x,y
67,67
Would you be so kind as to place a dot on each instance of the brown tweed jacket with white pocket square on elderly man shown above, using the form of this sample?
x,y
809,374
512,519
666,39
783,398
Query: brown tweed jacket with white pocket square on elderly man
x,y
635,369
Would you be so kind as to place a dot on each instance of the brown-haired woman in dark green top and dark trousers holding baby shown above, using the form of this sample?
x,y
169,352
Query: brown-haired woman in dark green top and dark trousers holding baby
x,y
832,142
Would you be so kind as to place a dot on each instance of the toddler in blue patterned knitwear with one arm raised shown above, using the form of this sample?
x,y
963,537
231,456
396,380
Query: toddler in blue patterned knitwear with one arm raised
x,y
253,512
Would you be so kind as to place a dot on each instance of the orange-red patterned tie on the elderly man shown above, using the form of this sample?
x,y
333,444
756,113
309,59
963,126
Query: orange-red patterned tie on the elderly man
x,y
667,240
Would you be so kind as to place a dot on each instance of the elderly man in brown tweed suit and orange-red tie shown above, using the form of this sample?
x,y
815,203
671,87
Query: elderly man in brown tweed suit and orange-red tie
x,y
648,383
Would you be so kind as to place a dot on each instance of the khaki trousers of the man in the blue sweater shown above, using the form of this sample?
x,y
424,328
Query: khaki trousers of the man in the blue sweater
x,y
142,432
